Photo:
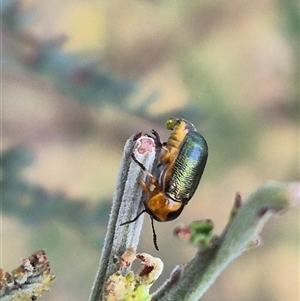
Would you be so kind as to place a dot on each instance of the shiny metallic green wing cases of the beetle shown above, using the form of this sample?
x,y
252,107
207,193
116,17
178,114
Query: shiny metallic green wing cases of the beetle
x,y
187,169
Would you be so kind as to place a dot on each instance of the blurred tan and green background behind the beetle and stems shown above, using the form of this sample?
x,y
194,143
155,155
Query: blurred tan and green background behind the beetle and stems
x,y
80,77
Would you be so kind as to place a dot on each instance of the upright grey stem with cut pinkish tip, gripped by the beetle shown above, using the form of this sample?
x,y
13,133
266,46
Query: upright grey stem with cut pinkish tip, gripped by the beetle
x,y
127,204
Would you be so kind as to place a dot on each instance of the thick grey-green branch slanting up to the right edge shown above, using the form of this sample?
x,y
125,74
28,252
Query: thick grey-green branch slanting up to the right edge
x,y
241,233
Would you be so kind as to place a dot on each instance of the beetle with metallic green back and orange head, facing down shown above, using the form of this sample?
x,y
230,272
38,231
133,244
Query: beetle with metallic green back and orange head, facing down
x,y
178,173
